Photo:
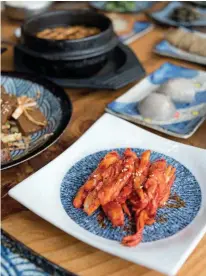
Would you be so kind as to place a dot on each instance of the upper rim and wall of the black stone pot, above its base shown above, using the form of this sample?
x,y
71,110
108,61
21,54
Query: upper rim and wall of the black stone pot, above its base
x,y
86,47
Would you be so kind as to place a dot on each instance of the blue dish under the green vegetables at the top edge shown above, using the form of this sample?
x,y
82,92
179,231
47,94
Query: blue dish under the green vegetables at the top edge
x,y
136,6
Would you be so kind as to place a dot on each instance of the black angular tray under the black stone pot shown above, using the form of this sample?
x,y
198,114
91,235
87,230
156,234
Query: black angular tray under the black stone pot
x,y
122,68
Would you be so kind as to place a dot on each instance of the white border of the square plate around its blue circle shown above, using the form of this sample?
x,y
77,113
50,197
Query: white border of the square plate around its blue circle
x,y
41,193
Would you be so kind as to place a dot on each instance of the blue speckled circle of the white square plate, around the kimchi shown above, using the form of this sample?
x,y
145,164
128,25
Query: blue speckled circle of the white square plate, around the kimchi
x,y
169,220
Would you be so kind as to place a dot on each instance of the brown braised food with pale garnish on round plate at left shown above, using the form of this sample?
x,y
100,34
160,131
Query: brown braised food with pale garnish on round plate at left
x,y
20,117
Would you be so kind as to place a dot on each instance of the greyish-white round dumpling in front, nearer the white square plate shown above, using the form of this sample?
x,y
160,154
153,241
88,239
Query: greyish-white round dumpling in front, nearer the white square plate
x,y
157,107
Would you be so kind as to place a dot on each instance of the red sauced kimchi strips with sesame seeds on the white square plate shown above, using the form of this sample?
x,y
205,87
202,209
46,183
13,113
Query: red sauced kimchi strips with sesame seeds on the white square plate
x,y
128,184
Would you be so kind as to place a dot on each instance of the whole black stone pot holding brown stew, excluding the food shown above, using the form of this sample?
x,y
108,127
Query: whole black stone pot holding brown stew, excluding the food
x,y
60,58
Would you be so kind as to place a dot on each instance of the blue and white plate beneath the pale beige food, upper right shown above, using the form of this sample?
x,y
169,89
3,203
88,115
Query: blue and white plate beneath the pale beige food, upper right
x,y
164,48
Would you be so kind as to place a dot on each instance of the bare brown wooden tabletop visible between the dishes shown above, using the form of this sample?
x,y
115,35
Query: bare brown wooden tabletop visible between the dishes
x,y
43,237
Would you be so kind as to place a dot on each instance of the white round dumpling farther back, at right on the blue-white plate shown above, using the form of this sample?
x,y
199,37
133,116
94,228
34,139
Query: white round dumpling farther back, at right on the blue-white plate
x,y
180,90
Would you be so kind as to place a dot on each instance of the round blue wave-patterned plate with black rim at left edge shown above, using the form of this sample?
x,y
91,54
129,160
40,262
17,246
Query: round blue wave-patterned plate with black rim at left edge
x,y
54,104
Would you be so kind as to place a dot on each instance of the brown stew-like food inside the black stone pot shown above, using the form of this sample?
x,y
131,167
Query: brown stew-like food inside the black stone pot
x,y
69,32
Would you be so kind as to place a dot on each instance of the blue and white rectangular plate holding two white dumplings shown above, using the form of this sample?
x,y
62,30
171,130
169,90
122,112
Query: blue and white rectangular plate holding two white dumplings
x,y
189,116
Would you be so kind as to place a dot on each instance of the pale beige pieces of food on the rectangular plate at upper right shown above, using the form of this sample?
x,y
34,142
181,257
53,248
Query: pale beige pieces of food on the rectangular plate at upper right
x,y
187,41
